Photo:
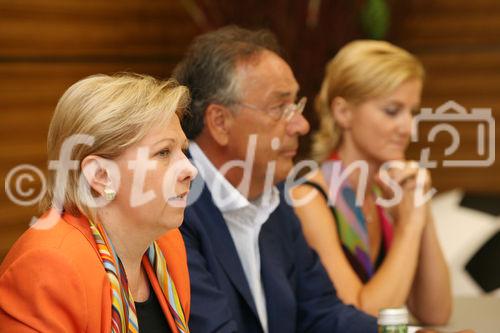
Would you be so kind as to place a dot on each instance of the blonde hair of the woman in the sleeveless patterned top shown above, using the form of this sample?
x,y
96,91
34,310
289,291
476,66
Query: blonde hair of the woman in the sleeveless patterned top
x,y
361,70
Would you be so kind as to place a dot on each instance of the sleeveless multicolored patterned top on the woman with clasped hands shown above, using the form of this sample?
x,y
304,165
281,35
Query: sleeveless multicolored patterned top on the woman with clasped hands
x,y
351,222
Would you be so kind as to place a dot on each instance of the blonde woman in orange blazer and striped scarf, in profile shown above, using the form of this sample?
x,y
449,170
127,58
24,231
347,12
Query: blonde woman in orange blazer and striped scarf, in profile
x,y
107,256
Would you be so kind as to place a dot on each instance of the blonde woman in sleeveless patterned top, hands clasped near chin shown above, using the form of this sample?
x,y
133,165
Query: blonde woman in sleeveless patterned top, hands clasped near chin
x,y
377,257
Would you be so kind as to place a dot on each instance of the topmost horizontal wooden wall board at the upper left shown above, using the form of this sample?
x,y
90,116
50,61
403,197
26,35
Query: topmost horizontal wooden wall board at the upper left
x,y
96,28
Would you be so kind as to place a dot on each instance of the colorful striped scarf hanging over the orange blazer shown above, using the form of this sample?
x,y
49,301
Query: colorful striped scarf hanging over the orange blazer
x,y
123,314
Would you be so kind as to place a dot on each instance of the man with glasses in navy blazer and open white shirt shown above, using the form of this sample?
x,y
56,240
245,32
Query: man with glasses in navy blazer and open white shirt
x,y
250,267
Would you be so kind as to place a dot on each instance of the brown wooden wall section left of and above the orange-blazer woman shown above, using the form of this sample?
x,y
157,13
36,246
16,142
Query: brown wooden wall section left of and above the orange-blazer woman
x,y
48,45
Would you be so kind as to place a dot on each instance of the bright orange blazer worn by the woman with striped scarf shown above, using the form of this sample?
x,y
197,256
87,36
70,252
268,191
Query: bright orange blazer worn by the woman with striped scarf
x,y
52,280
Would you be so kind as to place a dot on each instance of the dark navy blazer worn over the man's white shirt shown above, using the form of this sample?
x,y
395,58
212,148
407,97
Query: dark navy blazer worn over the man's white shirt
x,y
299,294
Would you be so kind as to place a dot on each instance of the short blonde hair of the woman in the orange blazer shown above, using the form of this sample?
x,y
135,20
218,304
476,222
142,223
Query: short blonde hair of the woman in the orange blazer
x,y
116,111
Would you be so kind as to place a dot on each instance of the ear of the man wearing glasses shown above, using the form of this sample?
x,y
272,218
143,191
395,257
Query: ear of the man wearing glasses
x,y
218,121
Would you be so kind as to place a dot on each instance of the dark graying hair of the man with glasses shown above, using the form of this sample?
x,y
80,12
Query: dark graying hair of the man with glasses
x,y
208,69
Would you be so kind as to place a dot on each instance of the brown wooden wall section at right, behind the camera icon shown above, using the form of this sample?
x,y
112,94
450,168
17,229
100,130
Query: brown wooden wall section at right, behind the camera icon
x,y
458,42
